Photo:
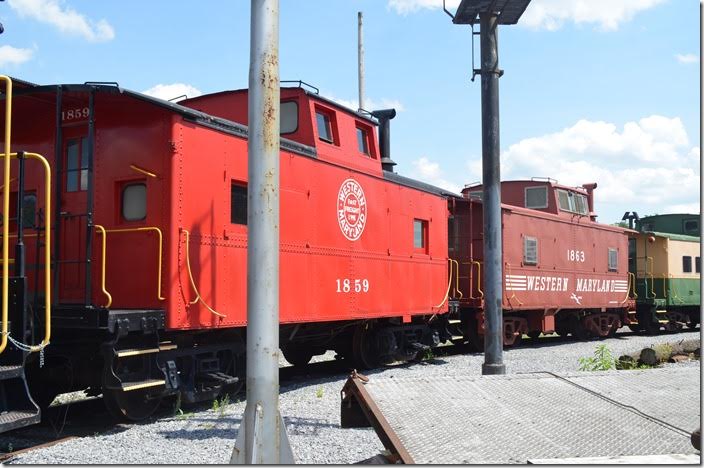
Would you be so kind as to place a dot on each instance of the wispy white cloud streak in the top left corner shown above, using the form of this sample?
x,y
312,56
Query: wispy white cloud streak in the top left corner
x,y
64,18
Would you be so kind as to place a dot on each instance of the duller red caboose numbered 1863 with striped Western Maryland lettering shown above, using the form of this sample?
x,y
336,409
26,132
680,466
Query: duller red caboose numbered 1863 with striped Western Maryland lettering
x,y
563,272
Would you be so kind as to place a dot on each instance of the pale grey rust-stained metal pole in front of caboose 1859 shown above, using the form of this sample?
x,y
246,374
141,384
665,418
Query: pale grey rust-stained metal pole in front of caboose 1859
x,y
262,436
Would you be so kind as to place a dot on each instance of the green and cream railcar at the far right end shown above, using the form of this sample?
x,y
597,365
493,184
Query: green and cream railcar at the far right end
x,y
666,263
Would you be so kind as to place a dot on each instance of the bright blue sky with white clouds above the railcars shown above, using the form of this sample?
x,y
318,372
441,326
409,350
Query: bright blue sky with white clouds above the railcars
x,y
602,91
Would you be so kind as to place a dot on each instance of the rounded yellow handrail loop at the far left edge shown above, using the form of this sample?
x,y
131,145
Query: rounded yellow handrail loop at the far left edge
x,y
47,258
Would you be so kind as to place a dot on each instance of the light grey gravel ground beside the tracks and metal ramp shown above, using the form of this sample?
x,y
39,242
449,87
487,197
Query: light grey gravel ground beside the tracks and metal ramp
x,y
311,409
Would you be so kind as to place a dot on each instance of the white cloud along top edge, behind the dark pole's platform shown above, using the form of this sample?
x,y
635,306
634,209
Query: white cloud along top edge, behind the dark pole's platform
x,y
553,14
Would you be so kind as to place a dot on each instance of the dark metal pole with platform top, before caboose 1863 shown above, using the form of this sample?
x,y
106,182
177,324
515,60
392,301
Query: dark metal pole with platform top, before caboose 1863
x,y
489,14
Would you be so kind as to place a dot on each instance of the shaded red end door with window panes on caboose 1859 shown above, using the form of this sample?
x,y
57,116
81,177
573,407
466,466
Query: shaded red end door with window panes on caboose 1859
x,y
74,203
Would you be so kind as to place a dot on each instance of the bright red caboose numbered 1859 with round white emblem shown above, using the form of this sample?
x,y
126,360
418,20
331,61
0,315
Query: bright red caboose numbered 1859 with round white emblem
x,y
149,267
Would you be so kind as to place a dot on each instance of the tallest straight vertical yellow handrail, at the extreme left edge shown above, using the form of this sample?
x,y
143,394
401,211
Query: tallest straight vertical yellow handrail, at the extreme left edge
x,y
6,210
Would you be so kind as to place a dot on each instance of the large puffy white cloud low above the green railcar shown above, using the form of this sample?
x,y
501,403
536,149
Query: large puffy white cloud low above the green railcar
x,y
648,165
